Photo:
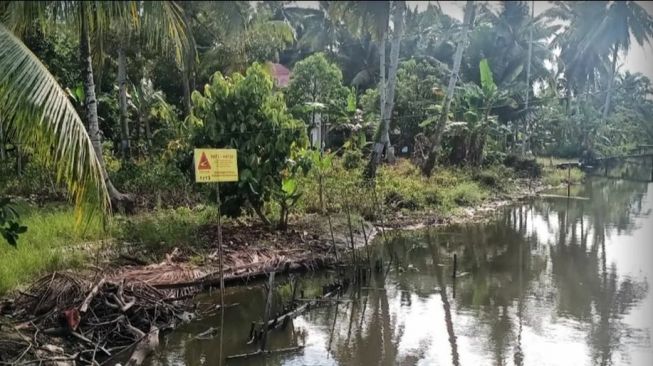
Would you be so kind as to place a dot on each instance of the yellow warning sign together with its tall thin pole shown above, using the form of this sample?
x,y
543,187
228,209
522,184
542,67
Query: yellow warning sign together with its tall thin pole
x,y
217,165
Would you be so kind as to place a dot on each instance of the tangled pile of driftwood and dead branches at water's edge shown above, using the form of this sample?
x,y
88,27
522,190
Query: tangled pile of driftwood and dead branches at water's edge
x,y
63,319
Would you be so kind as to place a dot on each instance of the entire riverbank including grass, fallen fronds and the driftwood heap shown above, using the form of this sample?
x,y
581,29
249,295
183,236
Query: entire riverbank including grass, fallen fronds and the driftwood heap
x,y
173,253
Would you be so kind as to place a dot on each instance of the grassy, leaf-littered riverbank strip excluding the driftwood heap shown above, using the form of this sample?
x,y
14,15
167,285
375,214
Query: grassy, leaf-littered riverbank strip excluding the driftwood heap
x,y
401,199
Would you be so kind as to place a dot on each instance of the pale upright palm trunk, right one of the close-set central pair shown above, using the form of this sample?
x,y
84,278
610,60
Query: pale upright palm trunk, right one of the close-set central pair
x,y
398,21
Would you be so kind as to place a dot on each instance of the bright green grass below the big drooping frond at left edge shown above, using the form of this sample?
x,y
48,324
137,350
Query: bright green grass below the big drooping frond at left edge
x,y
50,230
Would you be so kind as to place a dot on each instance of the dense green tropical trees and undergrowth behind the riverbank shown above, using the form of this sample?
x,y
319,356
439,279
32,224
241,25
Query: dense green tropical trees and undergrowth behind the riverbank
x,y
463,103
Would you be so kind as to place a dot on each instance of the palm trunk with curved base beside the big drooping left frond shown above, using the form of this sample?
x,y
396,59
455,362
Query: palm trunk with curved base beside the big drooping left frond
x,y
90,103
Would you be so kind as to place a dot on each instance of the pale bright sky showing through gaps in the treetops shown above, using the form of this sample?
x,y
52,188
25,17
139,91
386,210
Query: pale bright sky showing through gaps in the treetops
x,y
639,59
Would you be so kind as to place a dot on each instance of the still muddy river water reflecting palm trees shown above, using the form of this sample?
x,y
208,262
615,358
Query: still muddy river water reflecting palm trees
x,y
549,282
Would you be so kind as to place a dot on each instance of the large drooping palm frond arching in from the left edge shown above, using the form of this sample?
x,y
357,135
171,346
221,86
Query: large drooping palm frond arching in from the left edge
x,y
39,112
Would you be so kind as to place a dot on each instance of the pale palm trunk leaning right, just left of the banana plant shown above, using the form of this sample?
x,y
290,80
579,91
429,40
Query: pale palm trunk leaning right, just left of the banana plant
x,y
436,138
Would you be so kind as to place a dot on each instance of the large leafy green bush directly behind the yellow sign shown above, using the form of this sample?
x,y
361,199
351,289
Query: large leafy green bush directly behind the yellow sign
x,y
244,113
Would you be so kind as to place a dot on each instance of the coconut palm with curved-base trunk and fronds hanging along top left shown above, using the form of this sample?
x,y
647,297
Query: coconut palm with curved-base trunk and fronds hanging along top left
x,y
93,19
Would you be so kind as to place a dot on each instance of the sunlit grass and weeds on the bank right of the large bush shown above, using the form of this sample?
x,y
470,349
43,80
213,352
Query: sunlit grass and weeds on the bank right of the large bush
x,y
401,187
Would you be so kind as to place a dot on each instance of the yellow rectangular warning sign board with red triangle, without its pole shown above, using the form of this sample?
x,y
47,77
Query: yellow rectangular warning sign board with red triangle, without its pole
x,y
215,165
